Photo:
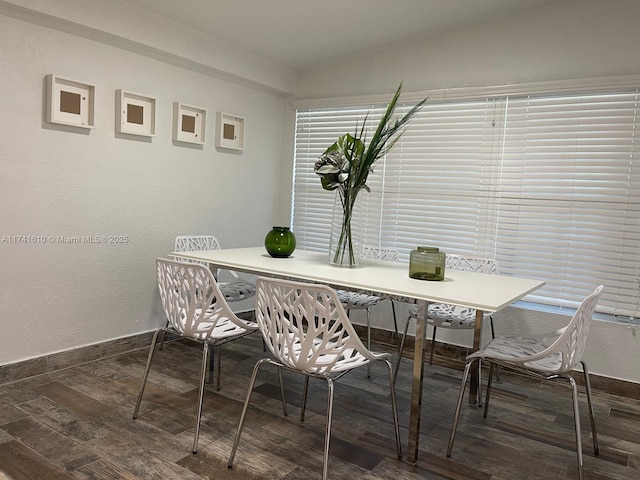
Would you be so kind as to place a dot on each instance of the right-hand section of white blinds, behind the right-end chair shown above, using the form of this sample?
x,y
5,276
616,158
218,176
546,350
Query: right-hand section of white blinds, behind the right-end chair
x,y
570,196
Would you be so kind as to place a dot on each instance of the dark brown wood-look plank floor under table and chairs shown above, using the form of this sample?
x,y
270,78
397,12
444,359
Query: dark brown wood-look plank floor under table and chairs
x,y
77,424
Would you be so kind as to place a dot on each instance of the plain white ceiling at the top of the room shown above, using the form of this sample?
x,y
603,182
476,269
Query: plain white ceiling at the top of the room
x,y
302,33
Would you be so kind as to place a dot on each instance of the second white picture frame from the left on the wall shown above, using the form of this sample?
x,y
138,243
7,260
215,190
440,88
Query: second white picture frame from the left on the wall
x,y
135,114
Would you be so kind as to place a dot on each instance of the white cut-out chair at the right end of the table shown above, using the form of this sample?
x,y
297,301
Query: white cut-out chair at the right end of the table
x,y
549,356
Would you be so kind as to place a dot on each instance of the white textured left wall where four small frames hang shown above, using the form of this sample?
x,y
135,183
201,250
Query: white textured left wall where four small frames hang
x,y
65,181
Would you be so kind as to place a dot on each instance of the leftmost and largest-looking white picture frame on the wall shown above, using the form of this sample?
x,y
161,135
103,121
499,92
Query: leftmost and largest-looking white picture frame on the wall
x,y
70,102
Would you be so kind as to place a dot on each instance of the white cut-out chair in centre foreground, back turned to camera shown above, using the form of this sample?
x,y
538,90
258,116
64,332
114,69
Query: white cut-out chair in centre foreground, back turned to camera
x,y
308,332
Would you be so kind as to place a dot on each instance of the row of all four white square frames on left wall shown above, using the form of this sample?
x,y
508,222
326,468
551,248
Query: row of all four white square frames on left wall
x,y
71,103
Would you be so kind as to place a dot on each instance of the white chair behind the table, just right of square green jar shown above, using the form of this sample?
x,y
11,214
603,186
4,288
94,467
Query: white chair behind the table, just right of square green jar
x,y
441,315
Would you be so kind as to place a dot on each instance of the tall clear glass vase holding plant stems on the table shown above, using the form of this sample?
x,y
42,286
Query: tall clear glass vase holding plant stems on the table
x,y
344,243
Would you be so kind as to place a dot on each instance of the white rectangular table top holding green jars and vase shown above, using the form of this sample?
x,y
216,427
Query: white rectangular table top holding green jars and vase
x,y
390,279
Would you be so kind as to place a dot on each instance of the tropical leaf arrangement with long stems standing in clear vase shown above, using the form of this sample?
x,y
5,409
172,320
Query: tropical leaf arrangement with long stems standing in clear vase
x,y
346,165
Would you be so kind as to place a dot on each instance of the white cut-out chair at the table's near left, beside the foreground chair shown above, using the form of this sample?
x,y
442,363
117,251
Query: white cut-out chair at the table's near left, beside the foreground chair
x,y
195,309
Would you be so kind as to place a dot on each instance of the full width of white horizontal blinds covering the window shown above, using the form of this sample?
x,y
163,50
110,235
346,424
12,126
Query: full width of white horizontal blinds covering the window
x,y
548,185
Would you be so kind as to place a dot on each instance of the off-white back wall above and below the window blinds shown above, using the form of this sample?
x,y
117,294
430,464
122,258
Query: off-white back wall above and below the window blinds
x,y
567,39
